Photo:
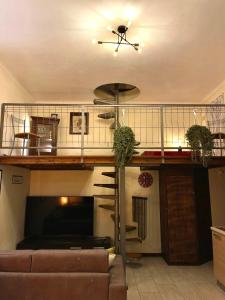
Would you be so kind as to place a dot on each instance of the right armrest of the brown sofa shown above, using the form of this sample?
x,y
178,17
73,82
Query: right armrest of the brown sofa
x,y
117,285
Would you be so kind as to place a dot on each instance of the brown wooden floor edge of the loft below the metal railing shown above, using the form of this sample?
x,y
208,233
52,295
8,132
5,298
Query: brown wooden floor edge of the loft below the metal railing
x,y
89,162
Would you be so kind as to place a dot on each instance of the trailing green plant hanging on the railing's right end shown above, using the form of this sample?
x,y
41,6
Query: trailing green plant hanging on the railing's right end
x,y
201,142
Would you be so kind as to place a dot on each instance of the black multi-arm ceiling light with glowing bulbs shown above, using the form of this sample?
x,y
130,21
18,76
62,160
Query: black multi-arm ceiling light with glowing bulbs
x,y
121,39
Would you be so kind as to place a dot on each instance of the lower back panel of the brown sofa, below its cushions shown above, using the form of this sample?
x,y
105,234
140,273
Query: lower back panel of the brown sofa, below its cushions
x,y
54,286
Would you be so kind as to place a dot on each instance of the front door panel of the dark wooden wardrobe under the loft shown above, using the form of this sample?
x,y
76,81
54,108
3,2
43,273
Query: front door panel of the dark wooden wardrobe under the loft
x,y
182,230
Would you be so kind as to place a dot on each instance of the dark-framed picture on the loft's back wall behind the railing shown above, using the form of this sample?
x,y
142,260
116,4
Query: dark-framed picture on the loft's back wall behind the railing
x,y
76,122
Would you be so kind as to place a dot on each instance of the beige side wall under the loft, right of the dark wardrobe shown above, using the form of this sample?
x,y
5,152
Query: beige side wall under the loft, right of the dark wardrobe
x,y
217,195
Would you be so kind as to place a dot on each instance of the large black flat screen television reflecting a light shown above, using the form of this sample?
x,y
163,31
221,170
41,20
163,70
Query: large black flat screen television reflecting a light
x,y
59,215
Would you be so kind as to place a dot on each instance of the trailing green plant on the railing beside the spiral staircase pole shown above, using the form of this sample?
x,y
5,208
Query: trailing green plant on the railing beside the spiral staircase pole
x,y
123,146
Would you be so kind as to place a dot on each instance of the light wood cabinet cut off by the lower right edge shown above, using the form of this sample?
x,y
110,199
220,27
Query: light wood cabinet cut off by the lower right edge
x,y
219,254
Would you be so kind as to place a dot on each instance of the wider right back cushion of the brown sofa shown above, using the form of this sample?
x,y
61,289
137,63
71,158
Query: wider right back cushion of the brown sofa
x,y
55,261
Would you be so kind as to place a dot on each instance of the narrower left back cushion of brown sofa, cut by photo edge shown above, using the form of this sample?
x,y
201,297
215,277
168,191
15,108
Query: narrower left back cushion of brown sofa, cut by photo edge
x,y
15,261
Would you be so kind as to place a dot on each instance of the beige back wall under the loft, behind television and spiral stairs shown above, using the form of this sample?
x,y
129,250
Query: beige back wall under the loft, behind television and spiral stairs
x,y
82,183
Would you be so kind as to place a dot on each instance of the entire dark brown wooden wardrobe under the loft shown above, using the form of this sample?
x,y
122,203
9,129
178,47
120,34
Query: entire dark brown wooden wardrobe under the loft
x,y
185,215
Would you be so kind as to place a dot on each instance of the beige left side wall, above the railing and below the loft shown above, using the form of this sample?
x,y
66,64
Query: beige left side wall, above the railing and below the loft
x,y
12,197
